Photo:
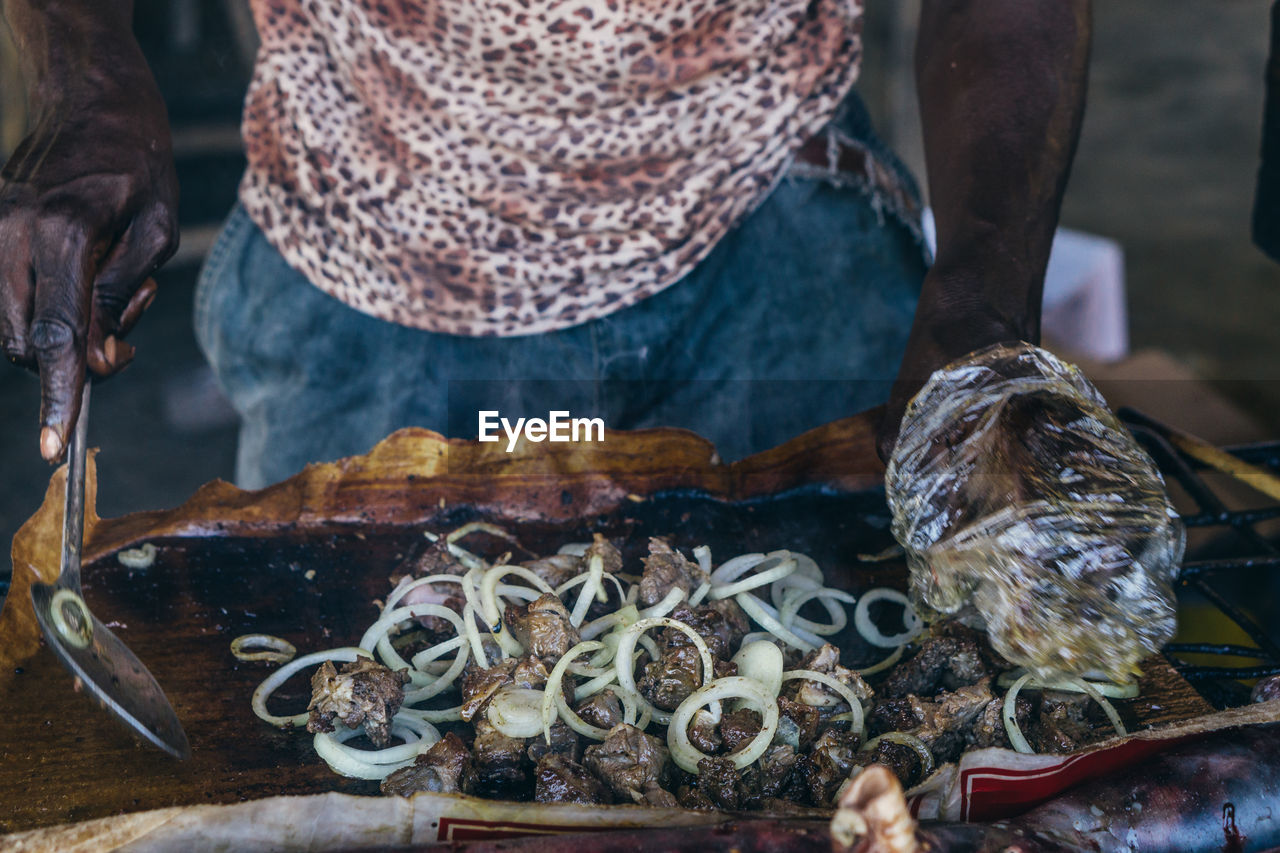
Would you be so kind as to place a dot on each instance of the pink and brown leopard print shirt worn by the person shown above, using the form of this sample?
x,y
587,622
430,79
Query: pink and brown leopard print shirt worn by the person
x,y
513,167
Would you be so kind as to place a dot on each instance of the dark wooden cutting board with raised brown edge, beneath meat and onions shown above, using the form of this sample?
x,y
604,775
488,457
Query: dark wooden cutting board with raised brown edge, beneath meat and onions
x,y
307,560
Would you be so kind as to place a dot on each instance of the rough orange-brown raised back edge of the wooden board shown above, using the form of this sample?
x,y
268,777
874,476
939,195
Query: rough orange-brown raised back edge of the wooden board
x,y
417,475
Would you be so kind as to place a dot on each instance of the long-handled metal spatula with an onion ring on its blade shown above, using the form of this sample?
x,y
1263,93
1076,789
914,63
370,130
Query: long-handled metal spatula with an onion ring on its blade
x,y
106,667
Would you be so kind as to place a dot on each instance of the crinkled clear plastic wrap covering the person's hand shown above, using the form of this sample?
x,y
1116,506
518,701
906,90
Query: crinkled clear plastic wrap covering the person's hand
x,y
1023,504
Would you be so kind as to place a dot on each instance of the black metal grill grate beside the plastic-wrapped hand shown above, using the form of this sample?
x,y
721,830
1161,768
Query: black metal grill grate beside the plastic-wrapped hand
x,y
1254,555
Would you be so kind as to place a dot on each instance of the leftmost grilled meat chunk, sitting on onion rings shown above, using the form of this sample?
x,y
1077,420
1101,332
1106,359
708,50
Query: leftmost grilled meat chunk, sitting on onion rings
x,y
363,692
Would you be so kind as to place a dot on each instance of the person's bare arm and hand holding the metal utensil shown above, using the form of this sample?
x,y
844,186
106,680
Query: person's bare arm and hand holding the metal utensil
x,y
89,202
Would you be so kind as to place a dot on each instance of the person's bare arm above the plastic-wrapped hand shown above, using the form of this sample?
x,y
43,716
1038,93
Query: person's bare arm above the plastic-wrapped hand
x,y
1002,88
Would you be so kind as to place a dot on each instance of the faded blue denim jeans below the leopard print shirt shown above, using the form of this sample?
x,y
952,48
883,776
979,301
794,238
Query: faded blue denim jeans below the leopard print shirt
x,y
797,318
